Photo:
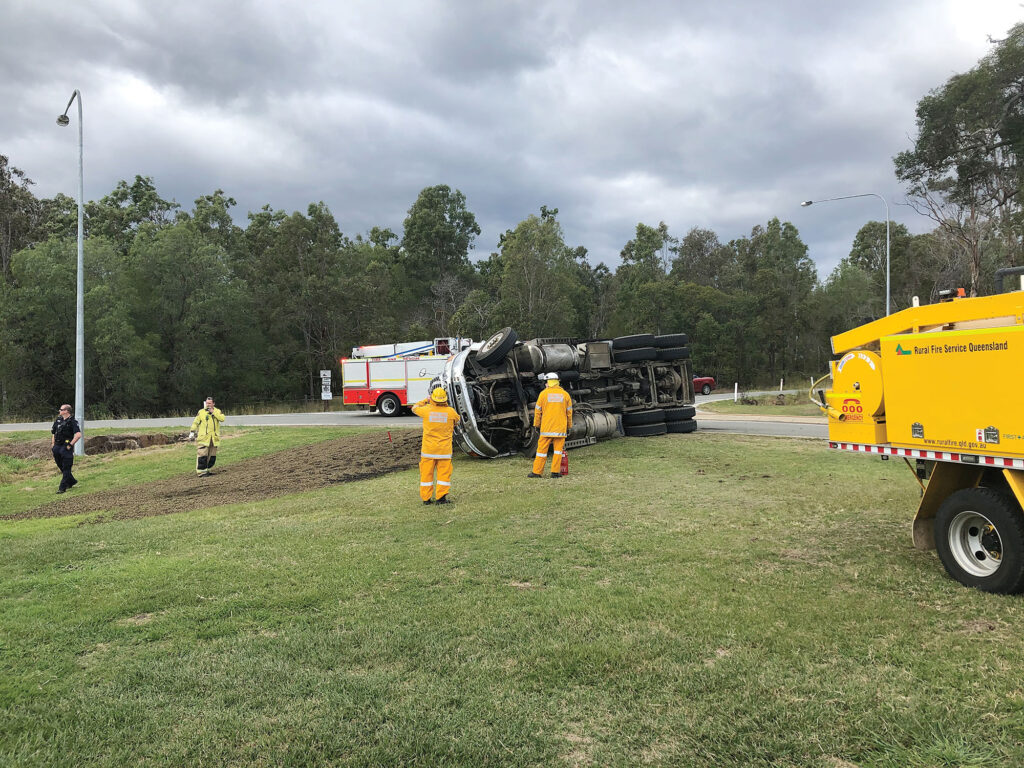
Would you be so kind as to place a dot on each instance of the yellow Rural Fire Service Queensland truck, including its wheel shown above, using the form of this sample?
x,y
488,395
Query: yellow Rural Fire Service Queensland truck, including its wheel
x,y
944,386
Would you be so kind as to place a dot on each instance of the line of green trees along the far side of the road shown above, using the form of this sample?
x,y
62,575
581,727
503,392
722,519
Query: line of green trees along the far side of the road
x,y
182,304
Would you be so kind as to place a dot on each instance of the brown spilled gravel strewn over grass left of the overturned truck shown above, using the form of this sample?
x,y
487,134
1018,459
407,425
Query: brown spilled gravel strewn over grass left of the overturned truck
x,y
292,472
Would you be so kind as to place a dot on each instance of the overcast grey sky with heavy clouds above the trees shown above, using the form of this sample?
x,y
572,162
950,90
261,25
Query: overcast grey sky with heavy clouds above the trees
x,y
719,115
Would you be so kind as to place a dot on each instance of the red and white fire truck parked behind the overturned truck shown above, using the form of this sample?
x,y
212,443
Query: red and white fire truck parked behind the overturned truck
x,y
390,377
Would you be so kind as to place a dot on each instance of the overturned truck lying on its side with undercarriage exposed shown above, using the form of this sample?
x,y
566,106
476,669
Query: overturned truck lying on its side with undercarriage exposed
x,y
634,386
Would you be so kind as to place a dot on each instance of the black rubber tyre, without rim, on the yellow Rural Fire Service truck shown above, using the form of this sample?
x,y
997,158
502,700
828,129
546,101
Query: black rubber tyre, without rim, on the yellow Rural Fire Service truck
x,y
1001,507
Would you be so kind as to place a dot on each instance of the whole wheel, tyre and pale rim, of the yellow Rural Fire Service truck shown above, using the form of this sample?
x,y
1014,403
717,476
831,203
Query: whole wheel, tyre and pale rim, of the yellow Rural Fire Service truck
x,y
979,534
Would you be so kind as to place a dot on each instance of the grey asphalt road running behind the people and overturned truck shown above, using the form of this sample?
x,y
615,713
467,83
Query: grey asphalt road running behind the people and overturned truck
x,y
772,426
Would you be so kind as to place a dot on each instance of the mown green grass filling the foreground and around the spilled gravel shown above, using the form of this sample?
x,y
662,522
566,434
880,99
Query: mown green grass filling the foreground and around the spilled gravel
x,y
679,601
